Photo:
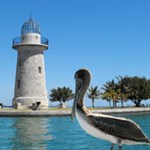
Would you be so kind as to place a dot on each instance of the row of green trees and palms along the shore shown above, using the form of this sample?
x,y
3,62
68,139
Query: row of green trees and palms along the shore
x,y
118,90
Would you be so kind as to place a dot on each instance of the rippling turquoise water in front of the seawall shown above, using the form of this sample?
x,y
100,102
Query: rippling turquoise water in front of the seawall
x,y
57,133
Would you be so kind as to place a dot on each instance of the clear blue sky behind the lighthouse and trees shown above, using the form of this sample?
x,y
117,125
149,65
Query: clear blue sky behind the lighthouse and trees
x,y
109,38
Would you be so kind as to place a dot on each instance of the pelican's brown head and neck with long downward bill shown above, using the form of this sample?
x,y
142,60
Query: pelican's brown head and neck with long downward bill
x,y
82,80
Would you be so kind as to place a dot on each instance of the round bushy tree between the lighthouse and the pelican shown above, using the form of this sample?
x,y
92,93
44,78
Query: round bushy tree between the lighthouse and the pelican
x,y
61,94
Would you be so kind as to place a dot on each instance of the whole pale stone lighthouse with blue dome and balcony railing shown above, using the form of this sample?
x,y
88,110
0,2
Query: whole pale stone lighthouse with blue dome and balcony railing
x,y
30,84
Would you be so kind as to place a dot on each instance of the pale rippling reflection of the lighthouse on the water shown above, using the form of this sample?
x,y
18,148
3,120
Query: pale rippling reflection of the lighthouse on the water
x,y
31,134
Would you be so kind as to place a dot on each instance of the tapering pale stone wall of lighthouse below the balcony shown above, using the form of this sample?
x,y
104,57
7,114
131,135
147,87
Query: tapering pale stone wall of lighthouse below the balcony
x,y
30,83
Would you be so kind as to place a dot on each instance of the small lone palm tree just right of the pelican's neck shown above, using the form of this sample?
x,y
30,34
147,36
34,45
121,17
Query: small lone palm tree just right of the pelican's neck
x,y
93,93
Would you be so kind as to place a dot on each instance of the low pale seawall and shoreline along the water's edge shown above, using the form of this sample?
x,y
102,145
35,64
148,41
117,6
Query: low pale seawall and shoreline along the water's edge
x,y
67,112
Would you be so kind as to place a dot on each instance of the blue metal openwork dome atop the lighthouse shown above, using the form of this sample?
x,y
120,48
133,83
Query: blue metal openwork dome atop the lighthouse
x,y
30,26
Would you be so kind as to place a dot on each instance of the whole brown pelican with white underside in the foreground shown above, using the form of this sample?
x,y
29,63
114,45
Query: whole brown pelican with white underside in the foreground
x,y
116,130
